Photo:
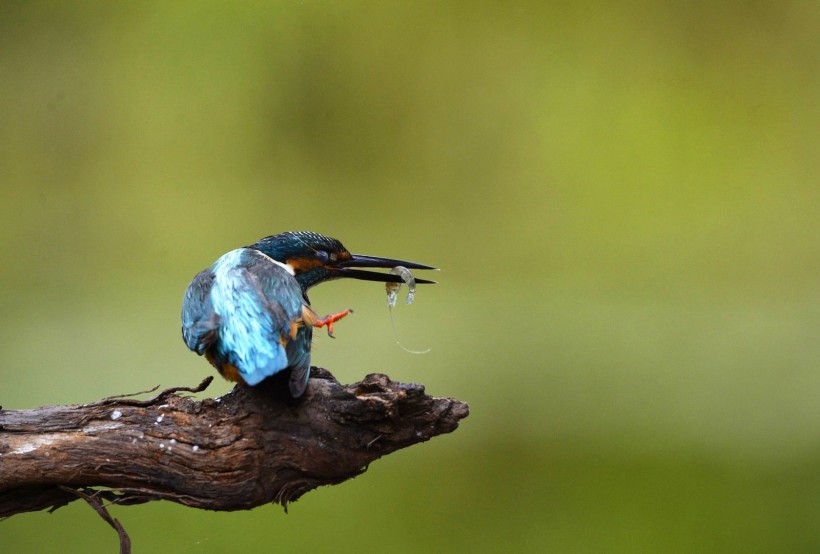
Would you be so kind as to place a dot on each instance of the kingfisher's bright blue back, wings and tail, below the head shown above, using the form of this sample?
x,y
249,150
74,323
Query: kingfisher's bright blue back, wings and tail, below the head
x,y
257,309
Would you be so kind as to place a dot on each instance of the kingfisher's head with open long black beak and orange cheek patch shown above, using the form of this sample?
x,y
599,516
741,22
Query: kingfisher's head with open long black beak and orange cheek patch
x,y
315,258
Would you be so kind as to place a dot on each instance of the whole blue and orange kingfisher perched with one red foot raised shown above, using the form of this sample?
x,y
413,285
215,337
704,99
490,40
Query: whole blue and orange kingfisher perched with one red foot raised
x,y
249,313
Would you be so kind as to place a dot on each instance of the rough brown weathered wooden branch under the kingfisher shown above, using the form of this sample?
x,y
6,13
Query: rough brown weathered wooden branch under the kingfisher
x,y
247,448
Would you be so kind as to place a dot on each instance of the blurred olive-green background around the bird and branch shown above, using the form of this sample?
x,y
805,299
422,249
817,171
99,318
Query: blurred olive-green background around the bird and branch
x,y
623,199
